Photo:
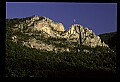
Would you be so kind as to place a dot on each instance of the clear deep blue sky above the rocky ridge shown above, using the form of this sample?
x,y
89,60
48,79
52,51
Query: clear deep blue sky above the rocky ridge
x,y
99,17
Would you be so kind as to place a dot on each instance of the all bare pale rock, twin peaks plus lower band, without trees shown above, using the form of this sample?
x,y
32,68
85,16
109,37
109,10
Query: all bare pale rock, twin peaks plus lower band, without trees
x,y
48,28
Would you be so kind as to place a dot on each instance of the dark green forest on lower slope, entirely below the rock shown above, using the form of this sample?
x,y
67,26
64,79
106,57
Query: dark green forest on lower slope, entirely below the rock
x,y
22,61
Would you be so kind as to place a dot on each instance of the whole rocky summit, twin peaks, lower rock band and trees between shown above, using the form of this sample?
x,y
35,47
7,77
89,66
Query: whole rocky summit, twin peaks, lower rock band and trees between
x,y
43,33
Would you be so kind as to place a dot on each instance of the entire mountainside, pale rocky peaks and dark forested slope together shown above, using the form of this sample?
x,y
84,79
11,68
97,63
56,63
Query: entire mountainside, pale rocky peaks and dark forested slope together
x,y
55,53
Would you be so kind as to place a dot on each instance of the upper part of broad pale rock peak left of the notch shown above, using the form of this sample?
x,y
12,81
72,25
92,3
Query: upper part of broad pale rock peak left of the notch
x,y
38,23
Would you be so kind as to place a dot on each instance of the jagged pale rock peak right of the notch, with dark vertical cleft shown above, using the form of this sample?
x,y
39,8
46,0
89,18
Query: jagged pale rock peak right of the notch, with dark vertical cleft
x,y
87,36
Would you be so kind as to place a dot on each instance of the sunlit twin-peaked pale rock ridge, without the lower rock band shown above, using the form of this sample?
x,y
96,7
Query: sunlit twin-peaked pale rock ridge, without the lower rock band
x,y
76,33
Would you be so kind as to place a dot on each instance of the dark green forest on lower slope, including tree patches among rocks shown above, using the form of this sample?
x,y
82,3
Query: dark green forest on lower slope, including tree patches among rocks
x,y
21,61
